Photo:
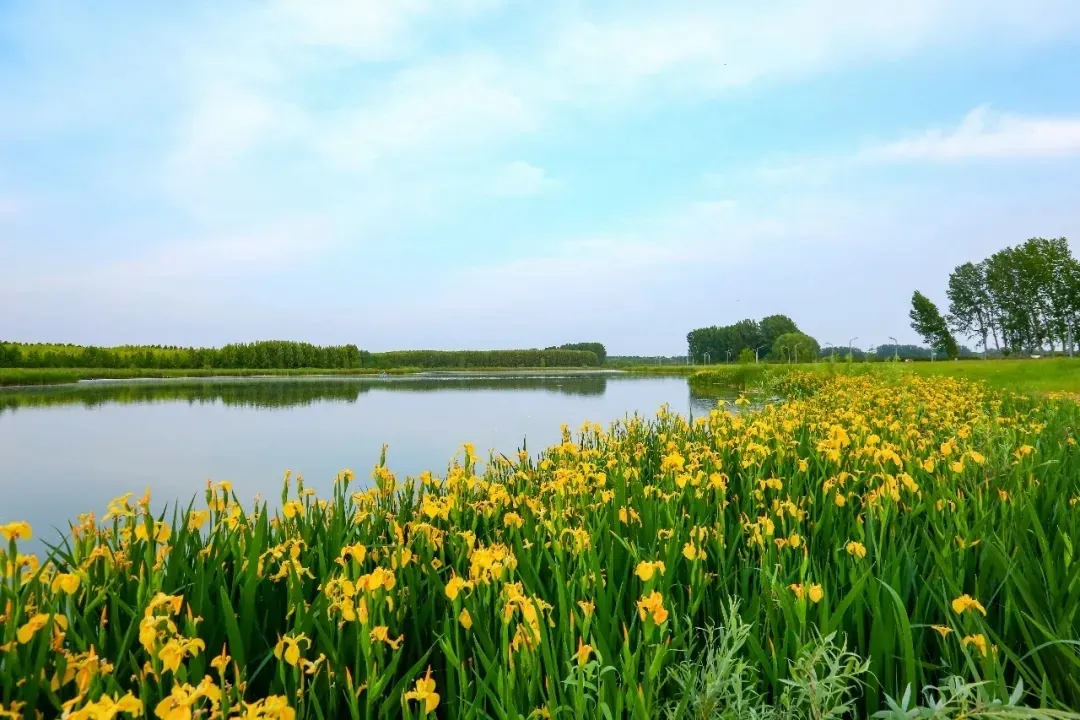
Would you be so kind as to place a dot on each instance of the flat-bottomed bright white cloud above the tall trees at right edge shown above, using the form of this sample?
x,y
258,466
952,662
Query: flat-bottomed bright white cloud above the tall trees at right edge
x,y
985,134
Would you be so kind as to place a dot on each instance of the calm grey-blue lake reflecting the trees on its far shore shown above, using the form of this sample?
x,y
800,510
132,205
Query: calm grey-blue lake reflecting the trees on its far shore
x,y
70,450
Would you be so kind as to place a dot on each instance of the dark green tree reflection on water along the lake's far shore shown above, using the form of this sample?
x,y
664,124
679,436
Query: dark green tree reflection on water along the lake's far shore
x,y
279,393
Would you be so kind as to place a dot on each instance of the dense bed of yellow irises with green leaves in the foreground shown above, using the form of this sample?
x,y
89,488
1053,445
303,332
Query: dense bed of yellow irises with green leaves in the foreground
x,y
871,538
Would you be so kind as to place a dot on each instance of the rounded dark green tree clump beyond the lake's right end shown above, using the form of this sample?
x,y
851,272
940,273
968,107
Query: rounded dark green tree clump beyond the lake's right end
x,y
776,337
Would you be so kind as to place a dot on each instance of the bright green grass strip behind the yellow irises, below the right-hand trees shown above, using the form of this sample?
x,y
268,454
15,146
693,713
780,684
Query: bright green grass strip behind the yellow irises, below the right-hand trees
x,y
1027,376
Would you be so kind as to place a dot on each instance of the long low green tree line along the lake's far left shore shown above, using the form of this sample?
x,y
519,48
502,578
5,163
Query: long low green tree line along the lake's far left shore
x,y
278,355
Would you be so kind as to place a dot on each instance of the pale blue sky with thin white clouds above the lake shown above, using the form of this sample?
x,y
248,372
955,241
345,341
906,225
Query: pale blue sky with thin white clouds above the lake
x,y
485,174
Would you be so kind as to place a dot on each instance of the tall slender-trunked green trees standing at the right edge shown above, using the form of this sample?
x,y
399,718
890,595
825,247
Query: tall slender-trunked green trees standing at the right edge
x,y
1023,298
